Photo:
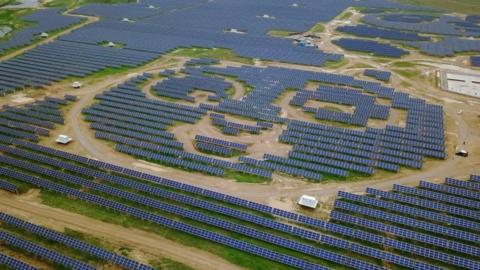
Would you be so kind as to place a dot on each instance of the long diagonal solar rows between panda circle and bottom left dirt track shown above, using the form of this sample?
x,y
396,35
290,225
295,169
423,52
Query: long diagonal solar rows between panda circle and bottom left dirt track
x,y
39,165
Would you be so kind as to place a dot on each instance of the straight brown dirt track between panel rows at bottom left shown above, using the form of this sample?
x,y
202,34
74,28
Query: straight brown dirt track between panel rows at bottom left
x,y
154,245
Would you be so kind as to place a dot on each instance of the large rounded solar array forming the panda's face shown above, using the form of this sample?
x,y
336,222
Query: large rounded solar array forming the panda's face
x,y
137,124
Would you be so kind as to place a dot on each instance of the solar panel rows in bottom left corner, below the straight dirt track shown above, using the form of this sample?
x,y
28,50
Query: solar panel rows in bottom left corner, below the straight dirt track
x,y
70,242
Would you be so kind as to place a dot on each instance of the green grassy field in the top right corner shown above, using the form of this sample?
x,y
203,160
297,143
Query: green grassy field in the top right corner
x,y
461,6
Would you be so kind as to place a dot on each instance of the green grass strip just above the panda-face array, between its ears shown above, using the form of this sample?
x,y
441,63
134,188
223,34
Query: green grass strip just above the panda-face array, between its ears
x,y
212,53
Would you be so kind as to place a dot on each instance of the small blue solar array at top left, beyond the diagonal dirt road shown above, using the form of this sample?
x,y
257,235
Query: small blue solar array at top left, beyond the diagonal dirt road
x,y
43,21
